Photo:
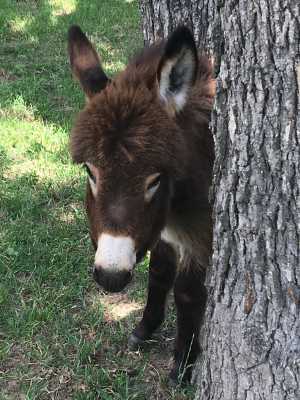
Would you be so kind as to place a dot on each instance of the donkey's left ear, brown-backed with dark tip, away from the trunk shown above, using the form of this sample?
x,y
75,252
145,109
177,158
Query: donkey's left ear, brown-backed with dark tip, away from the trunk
x,y
85,62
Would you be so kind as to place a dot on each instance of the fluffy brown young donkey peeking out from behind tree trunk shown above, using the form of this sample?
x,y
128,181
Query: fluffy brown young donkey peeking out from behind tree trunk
x,y
145,142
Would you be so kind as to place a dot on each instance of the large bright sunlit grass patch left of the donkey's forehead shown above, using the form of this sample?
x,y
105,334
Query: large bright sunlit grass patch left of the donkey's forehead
x,y
34,147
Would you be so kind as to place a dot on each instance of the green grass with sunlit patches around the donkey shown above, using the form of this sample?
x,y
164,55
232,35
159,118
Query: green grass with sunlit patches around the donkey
x,y
60,337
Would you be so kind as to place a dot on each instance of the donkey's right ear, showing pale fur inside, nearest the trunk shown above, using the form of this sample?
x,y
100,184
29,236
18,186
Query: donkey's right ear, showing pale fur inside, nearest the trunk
x,y
177,70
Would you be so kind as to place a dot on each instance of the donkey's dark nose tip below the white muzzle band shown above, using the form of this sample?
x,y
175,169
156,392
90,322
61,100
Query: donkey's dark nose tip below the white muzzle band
x,y
112,281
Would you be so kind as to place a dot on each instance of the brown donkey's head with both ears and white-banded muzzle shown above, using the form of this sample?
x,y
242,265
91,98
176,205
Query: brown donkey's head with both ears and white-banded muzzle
x,y
129,140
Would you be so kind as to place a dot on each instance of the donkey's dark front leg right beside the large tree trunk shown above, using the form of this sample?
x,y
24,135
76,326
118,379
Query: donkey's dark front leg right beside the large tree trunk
x,y
190,299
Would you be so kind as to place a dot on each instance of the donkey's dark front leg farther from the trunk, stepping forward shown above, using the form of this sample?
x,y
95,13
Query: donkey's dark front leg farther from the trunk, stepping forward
x,y
162,271
